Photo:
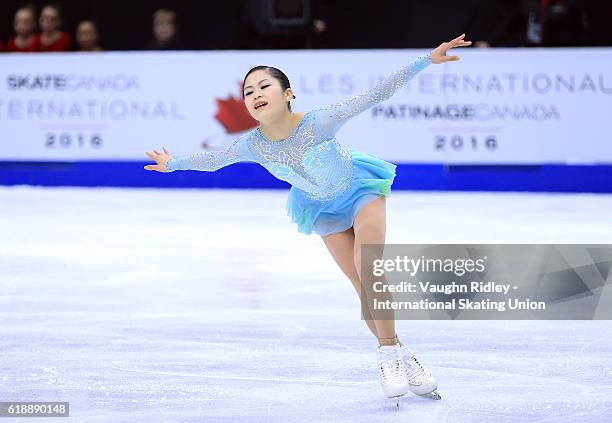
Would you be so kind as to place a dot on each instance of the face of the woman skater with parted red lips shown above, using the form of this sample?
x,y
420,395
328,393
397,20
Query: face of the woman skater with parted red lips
x,y
264,96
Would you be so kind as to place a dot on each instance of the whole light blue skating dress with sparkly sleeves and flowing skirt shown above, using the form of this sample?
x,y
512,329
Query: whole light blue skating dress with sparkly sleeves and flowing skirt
x,y
329,184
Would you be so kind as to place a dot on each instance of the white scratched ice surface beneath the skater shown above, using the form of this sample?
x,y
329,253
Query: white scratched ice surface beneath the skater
x,y
147,305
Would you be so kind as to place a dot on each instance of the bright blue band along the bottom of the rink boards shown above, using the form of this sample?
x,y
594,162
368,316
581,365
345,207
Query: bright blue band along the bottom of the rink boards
x,y
438,177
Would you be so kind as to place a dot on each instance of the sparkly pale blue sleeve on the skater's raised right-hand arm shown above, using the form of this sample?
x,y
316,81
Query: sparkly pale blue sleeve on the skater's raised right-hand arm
x,y
333,116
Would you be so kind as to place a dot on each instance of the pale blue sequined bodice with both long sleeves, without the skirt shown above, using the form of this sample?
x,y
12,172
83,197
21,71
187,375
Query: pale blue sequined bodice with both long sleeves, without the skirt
x,y
310,158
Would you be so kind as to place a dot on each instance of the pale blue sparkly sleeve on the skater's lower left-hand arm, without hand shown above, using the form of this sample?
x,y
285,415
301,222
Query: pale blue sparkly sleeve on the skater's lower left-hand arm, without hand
x,y
209,161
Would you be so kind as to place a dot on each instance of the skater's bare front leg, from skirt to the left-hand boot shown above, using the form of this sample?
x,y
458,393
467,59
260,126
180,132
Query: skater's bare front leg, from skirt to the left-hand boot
x,y
370,227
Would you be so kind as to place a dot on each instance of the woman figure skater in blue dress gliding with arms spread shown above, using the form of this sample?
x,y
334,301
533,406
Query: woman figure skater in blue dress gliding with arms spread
x,y
340,194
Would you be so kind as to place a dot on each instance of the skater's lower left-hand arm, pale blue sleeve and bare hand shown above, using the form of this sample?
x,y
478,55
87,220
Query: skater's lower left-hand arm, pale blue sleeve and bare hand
x,y
208,161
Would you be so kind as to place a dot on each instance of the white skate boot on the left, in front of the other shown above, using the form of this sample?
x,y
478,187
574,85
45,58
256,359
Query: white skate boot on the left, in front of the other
x,y
392,372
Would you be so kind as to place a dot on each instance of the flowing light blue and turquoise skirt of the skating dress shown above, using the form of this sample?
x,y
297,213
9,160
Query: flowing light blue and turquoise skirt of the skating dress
x,y
372,178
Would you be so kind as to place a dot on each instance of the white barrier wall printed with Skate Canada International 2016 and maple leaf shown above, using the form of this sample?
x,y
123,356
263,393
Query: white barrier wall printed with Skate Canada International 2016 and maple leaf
x,y
495,106
